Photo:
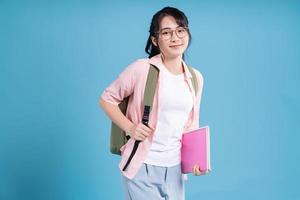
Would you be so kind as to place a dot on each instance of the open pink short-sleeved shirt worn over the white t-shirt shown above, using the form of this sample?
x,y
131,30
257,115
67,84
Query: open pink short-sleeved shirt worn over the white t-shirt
x,y
132,82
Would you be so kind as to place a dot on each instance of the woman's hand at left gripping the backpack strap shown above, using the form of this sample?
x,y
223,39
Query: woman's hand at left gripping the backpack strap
x,y
140,132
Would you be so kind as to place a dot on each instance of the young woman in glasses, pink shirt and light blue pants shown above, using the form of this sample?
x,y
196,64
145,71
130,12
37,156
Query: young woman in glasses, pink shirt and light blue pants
x,y
154,172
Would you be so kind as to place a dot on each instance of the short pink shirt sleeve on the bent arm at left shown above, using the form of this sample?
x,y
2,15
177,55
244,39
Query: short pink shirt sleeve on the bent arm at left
x,y
120,88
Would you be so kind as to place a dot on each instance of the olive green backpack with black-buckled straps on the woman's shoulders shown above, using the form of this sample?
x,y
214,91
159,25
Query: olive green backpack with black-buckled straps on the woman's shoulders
x,y
118,136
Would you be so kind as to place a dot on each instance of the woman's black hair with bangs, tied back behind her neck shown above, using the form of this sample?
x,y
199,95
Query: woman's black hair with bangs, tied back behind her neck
x,y
180,19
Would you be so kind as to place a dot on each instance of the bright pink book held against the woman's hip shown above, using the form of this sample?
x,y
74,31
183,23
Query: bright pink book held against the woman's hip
x,y
195,150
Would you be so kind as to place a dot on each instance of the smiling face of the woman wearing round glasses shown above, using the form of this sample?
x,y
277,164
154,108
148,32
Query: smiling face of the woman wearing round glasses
x,y
172,39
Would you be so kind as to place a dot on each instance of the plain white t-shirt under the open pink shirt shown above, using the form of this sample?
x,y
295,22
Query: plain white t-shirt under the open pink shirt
x,y
176,104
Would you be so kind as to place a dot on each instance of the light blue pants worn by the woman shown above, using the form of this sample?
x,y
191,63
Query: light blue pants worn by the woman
x,y
155,183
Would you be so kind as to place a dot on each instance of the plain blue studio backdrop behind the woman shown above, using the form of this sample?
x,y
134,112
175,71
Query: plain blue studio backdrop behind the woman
x,y
56,59
